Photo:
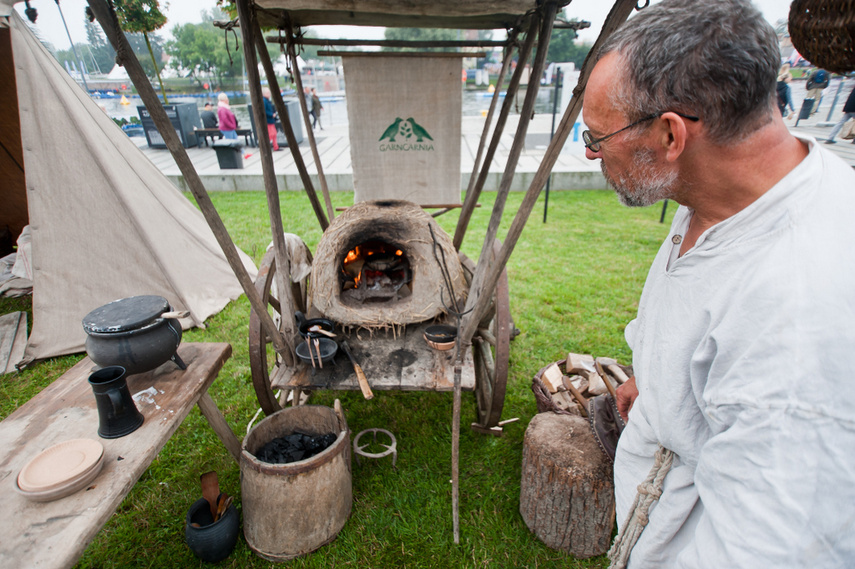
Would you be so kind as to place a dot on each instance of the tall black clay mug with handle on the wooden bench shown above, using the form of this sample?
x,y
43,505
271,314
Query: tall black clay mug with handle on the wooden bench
x,y
117,414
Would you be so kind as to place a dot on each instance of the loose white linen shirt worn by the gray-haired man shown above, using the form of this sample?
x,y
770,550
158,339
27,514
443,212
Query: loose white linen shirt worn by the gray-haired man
x,y
743,350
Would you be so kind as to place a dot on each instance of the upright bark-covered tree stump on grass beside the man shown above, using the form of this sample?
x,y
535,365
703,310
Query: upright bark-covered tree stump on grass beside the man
x,y
567,490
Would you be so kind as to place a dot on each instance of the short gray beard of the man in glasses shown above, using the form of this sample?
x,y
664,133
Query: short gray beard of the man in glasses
x,y
646,185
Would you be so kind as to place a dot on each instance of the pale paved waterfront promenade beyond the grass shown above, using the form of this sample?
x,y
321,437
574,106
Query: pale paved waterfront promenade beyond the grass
x,y
572,171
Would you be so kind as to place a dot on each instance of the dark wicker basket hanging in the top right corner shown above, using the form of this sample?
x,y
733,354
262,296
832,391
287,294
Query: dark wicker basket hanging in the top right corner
x,y
823,32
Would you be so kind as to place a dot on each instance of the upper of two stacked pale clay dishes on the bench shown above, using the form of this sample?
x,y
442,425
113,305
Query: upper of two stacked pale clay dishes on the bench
x,y
60,465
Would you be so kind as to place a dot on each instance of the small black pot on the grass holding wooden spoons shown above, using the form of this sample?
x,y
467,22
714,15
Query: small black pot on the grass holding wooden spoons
x,y
212,541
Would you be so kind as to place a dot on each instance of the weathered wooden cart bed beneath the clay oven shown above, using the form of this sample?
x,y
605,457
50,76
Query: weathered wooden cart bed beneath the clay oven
x,y
404,363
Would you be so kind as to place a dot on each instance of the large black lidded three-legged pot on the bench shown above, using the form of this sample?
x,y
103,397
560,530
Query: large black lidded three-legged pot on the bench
x,y
133,333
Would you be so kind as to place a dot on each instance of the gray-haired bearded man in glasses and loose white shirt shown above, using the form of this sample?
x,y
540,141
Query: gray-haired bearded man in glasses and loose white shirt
x,y
740,415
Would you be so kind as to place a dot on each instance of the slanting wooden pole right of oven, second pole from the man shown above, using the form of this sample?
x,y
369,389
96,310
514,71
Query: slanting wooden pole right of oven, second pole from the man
x,y
478,293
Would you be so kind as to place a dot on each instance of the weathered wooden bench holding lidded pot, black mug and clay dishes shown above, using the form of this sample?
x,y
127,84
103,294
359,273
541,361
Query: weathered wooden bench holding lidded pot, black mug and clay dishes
x,y
55,534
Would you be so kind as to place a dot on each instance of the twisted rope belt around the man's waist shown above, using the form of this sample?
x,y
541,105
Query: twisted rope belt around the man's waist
x,y
648,492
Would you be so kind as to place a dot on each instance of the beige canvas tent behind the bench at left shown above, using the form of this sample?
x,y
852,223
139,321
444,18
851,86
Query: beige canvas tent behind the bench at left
x,y
105,223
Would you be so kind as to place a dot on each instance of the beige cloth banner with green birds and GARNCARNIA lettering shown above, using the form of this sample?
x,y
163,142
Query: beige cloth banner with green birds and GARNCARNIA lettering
x,y
404,115
